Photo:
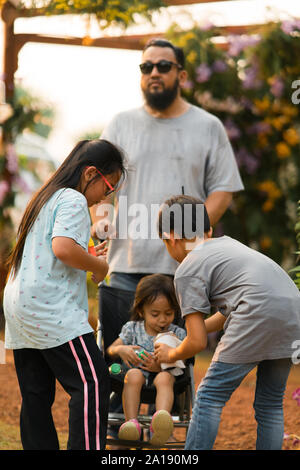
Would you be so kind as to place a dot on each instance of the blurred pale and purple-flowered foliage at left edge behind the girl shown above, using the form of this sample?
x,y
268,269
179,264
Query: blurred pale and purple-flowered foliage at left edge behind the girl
x,y
24,163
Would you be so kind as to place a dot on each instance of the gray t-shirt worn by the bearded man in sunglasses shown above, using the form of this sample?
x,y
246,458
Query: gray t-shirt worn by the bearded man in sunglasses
x,y
190,151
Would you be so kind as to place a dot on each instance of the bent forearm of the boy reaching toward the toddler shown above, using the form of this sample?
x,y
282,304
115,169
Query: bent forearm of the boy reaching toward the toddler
x,y
194,342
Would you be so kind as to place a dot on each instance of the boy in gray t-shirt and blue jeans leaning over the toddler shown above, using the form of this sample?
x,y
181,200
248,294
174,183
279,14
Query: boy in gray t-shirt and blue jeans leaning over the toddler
x,y
258,307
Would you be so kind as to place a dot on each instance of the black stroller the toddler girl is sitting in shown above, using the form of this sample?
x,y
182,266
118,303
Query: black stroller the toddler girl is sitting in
x,y
114,308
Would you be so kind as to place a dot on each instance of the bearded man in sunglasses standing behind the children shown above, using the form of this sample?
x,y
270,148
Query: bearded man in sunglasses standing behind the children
x,y
172,147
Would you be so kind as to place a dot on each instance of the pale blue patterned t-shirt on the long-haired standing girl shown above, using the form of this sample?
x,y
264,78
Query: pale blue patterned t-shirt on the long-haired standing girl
x,y
46,304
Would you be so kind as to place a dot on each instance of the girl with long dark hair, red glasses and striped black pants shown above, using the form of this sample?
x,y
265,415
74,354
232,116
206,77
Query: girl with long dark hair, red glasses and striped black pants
x,y
46,304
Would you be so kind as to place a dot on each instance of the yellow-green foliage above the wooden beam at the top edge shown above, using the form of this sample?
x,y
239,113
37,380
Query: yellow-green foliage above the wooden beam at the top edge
x,y
108,12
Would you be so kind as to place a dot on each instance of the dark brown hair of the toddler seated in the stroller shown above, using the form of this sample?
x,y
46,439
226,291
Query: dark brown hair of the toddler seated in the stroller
x,y
148,289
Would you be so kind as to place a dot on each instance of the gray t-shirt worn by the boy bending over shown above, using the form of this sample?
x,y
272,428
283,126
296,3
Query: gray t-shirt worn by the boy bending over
x,y
260,301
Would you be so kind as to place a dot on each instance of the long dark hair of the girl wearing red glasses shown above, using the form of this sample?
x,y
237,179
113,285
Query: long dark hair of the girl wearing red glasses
x,y
99,153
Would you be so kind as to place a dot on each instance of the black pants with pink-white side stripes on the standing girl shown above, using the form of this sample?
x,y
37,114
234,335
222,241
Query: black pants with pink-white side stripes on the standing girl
x,y
81,370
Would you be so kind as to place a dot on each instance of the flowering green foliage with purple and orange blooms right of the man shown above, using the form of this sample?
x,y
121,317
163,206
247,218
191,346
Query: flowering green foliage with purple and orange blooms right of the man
x,y
249,86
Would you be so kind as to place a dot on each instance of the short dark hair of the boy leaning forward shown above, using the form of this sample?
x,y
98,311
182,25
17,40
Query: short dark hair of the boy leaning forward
x,y
181,214
